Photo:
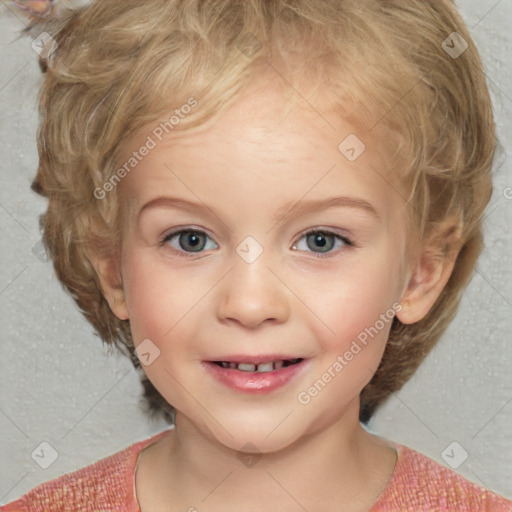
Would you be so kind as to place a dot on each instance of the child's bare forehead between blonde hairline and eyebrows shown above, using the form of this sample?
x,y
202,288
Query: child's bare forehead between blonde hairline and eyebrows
x,y
271,142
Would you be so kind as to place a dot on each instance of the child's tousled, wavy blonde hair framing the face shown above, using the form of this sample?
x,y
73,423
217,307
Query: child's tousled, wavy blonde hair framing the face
x,y
118,66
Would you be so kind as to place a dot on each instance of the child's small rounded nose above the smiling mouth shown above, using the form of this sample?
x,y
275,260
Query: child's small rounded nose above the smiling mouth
x,y
252,294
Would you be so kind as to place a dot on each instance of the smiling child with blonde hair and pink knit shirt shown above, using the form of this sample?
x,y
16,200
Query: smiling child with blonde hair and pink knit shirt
x,y
253,131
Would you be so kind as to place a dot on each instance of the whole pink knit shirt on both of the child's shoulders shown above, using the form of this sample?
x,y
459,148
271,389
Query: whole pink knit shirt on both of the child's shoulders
x,y
417,484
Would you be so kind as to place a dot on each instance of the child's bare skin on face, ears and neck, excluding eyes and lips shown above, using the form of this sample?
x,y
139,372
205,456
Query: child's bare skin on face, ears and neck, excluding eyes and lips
x,y
246,165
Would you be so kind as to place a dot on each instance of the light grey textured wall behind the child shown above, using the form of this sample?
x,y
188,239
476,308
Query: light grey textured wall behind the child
x,y
60,386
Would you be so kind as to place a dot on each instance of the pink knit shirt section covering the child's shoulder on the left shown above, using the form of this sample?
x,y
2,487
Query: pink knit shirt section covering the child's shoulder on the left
x,y
105,485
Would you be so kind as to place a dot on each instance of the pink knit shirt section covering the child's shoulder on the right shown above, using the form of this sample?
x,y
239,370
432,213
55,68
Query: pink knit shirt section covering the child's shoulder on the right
x,y
420,483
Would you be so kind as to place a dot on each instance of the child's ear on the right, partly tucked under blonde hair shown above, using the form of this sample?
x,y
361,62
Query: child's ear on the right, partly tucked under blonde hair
x,y
430,272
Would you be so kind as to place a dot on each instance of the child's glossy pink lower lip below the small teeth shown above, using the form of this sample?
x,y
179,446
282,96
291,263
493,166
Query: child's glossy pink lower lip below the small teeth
x,y
255,382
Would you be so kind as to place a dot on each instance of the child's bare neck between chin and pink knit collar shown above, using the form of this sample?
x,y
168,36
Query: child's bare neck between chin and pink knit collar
x,y
342,462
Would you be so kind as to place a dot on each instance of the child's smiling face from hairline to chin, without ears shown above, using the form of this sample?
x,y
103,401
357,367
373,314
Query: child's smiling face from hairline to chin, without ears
x,y
207,300
